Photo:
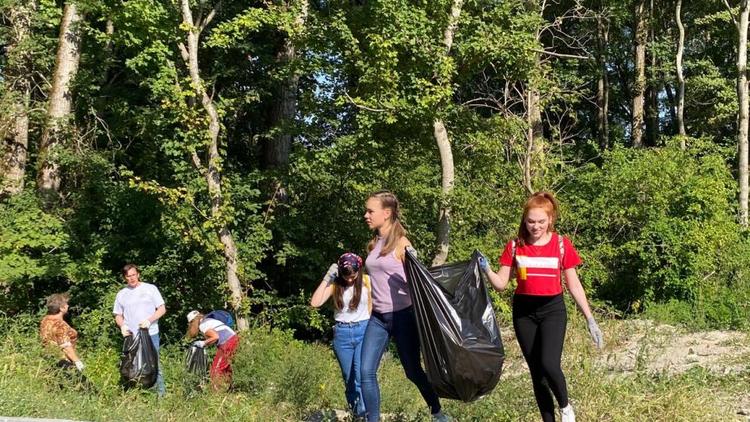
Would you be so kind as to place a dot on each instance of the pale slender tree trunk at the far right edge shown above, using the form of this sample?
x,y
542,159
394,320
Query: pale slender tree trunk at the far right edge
x,y
742,120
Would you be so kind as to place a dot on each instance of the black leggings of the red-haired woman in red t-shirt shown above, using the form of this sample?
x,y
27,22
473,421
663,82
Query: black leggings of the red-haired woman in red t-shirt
x,y
540,323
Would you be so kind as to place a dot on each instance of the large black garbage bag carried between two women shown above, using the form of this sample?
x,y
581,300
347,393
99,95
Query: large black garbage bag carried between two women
x,y
459,336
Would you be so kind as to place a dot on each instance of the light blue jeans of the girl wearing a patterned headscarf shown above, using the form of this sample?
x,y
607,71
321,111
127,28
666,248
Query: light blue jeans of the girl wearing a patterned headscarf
x,y
347,344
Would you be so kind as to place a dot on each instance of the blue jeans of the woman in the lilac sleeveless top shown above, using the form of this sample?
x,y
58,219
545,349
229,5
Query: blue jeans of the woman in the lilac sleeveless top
x,y
402,326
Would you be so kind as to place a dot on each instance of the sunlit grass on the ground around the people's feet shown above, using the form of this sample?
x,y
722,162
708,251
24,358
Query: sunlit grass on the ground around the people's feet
x,y
281,379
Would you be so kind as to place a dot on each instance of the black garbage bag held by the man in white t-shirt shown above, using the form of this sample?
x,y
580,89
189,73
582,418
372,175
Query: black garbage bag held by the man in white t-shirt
x,y
139,363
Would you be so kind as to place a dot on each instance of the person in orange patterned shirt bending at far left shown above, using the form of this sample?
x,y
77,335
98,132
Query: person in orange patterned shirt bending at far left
x,y
57,336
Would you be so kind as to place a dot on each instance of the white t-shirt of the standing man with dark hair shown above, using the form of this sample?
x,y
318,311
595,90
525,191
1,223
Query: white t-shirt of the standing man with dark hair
x,y
138,303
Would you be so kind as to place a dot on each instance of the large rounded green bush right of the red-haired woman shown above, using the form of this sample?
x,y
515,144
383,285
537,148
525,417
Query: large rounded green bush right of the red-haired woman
x,y
658,226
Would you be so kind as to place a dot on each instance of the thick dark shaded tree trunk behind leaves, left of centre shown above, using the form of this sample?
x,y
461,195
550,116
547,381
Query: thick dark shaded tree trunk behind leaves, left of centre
x,y
276,149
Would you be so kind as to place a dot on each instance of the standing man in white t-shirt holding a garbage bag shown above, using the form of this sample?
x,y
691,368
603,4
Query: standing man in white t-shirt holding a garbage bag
x,y
140,305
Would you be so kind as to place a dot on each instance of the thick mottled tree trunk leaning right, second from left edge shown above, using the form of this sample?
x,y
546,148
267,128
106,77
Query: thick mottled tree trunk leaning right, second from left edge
x,y
60,104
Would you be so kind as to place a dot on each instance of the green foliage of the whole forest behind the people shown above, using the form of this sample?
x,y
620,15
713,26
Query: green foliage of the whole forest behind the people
x,y
655,227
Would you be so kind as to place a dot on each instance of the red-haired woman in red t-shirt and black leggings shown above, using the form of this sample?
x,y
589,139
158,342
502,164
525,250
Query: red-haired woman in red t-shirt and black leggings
x,y
540,258
